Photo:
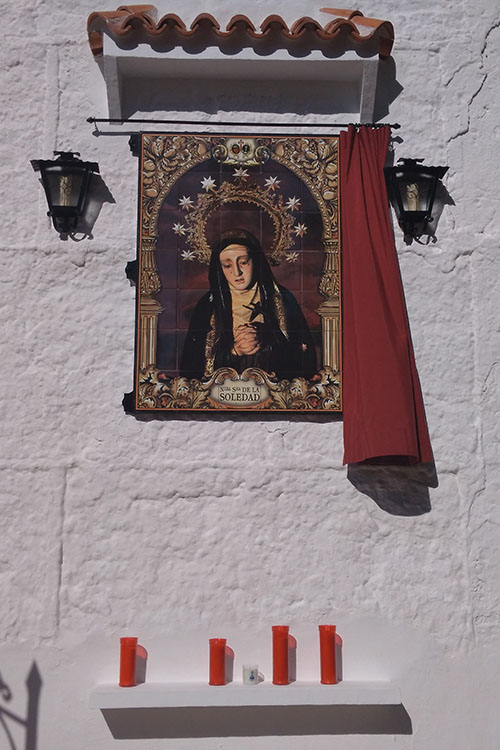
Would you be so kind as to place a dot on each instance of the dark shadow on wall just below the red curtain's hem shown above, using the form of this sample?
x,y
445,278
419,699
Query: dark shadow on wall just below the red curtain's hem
x,y
398,490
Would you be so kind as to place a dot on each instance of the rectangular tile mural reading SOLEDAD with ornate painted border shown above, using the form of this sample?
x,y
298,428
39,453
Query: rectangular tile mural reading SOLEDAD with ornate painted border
x,y
238,294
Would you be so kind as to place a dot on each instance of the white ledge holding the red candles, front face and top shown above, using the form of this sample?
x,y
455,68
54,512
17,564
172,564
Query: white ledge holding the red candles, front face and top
x,y
185,695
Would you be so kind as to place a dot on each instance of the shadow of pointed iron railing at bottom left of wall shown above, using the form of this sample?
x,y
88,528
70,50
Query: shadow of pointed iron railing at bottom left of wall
x,y
30,722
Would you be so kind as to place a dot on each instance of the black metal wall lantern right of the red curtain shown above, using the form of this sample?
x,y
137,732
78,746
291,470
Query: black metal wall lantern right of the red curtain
x,y
412,189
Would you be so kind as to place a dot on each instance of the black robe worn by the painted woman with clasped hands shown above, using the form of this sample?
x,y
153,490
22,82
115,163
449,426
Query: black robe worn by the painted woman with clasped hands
x,y
287,357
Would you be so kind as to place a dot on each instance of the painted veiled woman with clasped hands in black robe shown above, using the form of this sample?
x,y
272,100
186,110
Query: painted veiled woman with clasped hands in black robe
x,y
246,319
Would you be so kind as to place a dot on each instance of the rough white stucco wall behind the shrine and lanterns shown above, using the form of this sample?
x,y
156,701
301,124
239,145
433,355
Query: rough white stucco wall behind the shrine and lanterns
x,y
183,529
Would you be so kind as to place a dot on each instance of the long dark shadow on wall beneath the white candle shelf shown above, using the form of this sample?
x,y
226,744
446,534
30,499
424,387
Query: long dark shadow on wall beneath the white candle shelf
x,y
256,721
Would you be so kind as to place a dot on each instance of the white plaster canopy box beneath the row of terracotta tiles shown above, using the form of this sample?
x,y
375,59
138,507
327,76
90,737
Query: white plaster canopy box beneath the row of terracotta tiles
x,y
349,79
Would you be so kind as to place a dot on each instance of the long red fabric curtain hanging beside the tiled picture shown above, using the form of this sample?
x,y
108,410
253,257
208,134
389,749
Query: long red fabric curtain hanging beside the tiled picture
x,y
384,417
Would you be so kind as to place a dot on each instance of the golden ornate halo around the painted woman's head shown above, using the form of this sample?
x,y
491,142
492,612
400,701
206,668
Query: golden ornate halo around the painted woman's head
x,y
197,218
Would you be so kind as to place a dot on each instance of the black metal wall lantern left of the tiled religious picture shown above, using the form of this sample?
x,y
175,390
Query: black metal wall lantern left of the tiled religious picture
x,y
66,182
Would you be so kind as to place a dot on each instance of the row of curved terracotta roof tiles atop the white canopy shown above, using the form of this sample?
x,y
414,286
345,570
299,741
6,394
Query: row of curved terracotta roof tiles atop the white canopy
x,y
129,18
